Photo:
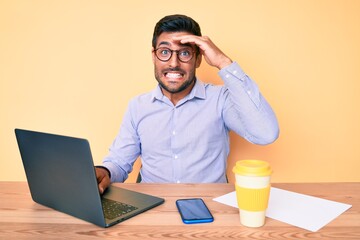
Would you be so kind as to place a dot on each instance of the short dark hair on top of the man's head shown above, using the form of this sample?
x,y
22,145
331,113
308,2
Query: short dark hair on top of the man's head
x,y
176,23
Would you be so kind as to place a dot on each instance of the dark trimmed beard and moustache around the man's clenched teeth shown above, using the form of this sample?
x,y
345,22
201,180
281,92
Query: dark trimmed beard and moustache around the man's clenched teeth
x,y
175,89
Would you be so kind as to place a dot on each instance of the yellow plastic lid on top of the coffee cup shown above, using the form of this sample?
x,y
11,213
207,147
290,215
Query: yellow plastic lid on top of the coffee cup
x,y
256,168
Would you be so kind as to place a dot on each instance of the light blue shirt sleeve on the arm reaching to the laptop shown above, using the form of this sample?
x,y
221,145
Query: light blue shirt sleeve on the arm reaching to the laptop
x,y
124,150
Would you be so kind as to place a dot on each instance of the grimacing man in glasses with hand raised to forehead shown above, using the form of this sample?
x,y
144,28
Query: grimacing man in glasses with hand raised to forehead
x,y
181,129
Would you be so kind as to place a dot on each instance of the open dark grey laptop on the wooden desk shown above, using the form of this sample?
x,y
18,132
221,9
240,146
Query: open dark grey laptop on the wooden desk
x,y
61,175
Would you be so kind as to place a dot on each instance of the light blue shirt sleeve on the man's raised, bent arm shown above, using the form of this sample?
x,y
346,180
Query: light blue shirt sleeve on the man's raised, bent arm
x,y
246,111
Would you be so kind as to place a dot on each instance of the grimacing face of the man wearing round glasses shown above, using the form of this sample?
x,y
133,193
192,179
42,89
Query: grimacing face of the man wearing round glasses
x,y
173,75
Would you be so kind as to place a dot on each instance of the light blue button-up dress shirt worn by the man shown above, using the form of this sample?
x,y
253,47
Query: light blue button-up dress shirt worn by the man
x,y
189,142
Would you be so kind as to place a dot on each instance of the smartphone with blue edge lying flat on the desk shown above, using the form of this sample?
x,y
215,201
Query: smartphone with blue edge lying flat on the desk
x,y
194,210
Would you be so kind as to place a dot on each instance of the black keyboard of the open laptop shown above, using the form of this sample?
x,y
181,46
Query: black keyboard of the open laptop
x,y
113,209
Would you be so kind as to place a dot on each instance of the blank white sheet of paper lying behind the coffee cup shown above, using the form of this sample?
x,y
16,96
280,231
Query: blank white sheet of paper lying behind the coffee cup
x,y
304,211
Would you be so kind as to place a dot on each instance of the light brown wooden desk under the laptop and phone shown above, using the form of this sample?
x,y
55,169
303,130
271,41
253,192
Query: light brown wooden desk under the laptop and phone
x,y
21,218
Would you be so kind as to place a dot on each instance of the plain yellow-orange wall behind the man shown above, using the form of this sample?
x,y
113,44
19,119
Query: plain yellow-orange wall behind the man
x,y
70,67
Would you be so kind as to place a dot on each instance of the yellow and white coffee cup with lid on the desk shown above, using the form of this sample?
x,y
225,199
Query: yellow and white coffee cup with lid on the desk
x,y
252,190
